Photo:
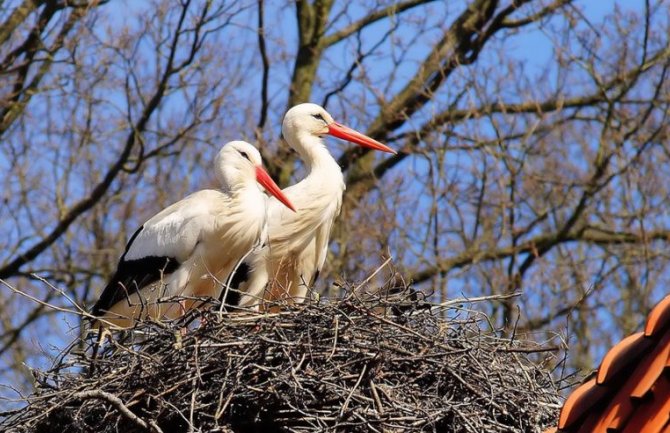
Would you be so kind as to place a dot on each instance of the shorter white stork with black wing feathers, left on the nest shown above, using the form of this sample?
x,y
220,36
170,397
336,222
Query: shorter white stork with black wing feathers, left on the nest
x,y
192,246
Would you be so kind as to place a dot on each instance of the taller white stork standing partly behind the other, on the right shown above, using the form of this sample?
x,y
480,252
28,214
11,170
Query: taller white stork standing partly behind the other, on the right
x,y
298,242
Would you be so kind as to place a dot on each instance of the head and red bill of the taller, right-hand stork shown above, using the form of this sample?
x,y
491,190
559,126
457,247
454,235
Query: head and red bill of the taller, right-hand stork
x,y
305,120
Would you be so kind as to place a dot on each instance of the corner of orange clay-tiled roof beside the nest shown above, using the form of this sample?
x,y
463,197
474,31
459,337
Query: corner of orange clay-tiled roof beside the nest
x,y
631,390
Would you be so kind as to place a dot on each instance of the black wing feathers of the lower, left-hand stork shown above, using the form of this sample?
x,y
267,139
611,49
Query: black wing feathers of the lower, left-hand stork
x,y
131,276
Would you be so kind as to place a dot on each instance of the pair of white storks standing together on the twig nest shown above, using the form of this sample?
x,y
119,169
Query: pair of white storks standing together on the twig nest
x,y
235,240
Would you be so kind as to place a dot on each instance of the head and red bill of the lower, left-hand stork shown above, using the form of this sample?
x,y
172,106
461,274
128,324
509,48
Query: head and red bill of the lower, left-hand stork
x,y
239,163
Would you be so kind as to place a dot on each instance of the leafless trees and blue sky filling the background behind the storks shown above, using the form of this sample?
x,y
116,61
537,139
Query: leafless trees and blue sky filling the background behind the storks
x,y
532,138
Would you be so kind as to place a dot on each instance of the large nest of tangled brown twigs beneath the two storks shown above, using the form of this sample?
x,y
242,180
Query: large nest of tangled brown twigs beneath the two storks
x,y
346,365
